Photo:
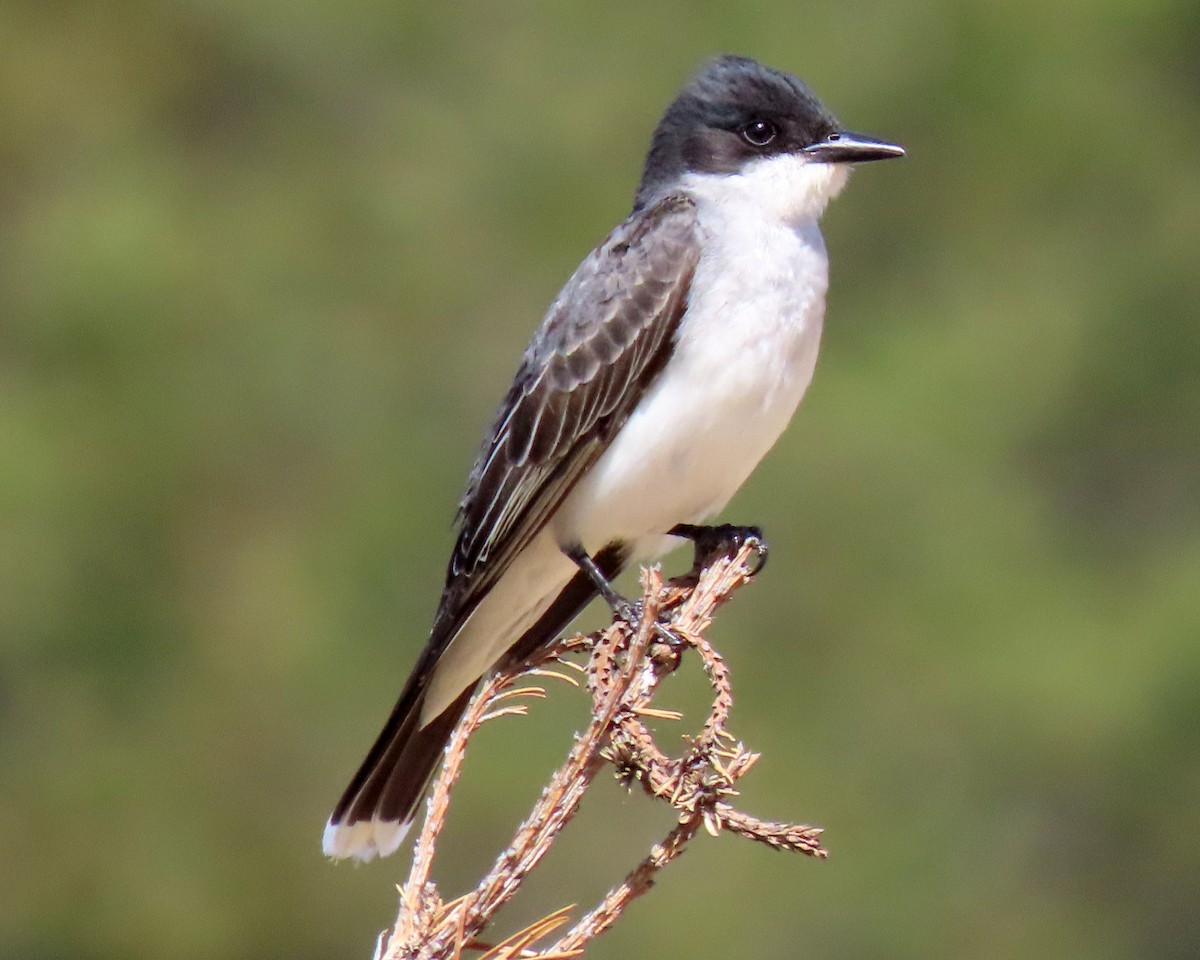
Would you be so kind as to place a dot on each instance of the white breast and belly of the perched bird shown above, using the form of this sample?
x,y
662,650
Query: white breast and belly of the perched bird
x,y
743,357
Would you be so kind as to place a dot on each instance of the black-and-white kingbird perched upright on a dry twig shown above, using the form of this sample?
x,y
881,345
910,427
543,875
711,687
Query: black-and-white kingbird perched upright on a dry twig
x,y
662,375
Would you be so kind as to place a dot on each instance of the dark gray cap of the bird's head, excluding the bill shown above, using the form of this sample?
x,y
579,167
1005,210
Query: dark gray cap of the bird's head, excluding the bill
x,y
704,129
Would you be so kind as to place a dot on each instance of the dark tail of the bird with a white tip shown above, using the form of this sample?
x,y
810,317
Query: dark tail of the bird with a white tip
x,y
380,805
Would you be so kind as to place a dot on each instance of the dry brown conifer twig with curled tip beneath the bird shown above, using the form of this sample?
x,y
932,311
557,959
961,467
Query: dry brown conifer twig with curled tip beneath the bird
x,y
626,664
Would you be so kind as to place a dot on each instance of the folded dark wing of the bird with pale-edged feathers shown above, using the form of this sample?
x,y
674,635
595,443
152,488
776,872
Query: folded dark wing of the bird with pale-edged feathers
x,y
603,341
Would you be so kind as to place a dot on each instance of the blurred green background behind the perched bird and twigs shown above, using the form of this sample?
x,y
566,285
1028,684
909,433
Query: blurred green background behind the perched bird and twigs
x,y
266,271
